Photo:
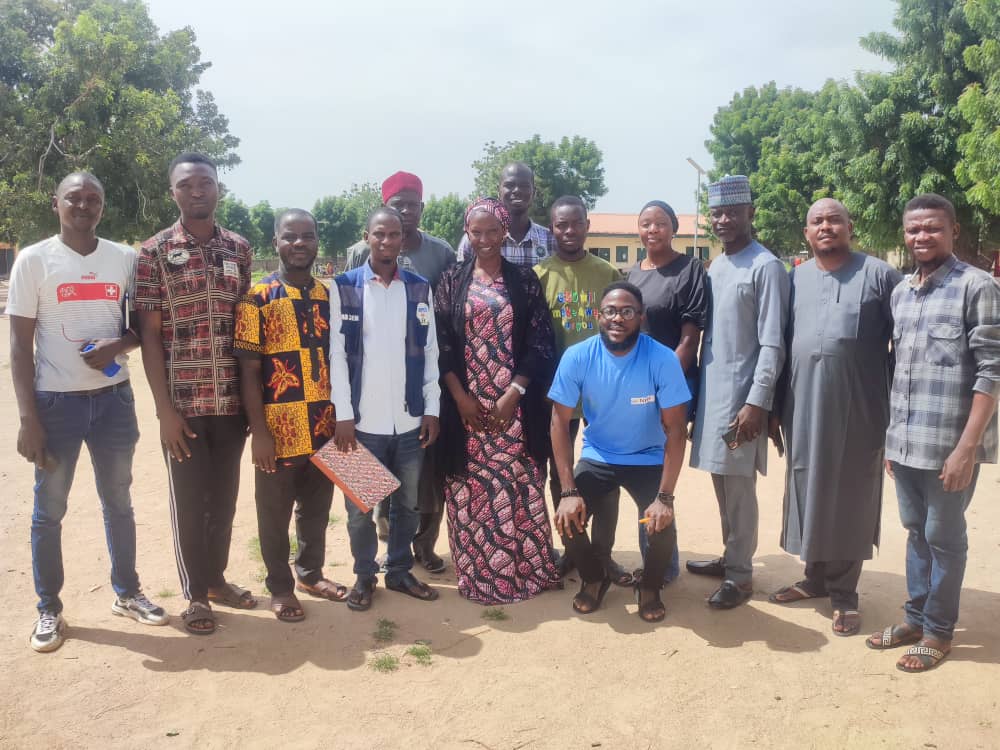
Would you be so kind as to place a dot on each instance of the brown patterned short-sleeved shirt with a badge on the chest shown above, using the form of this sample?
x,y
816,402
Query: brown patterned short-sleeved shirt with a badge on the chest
x,y
195,288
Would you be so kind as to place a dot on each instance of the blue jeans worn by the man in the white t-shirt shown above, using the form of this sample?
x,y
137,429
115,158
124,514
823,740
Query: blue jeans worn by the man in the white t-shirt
x,y
107,424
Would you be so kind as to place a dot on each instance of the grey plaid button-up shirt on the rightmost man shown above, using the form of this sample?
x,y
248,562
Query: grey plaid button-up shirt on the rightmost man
x,y
947,342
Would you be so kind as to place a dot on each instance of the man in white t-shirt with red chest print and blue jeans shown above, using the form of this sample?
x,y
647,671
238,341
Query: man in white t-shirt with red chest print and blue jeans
x,y
68,304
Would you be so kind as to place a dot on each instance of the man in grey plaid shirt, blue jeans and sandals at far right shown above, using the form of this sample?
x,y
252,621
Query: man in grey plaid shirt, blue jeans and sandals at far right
x,y
942,422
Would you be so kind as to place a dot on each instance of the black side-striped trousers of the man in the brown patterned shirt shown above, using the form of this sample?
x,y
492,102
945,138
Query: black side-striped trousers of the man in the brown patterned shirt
x,y
203,492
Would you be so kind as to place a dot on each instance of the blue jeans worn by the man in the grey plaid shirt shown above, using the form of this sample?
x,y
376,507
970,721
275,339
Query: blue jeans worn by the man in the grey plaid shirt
x,y
936,547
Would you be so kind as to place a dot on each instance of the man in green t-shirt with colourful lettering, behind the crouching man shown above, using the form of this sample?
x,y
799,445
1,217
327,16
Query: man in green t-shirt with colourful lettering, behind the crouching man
x,y
573,280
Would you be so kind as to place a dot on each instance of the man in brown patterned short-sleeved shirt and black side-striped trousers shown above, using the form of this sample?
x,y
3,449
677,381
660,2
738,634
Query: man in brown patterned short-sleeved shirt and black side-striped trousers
x,y
188,280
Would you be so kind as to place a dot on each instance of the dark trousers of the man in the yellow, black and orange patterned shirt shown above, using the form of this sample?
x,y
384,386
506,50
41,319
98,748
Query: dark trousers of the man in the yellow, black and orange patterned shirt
x,y
307,489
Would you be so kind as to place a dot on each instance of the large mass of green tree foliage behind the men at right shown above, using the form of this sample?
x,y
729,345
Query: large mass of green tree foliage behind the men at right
x,y
889,136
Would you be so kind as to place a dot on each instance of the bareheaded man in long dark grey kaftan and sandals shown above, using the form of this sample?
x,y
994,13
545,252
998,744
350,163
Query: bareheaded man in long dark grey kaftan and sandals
x,y
833,408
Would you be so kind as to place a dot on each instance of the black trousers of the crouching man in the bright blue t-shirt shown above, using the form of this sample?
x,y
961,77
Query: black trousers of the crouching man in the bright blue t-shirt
x,y
599,485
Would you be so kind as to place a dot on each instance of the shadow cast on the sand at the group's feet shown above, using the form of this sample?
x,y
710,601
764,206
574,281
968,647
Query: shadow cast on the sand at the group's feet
x,y
334,638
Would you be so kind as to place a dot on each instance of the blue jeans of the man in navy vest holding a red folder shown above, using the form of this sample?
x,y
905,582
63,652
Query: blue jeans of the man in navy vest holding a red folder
x,y
403,456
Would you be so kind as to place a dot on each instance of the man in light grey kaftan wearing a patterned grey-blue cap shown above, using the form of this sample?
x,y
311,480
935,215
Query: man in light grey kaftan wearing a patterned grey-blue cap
x,y
742,356
